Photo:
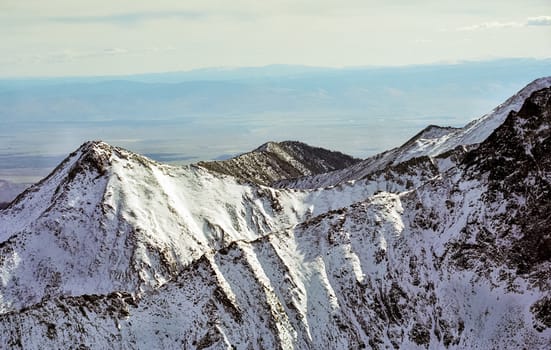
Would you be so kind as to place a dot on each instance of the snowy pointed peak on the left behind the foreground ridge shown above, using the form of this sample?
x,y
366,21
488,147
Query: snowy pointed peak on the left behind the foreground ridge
x,y
133,223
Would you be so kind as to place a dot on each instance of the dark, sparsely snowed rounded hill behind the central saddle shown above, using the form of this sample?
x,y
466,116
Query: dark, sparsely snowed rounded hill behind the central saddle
x,y
276,161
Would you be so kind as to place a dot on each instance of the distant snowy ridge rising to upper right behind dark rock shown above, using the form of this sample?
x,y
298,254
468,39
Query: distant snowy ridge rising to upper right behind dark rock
x,y
432,141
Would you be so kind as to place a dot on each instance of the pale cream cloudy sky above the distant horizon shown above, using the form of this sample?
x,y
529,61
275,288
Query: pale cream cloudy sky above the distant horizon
x,y
67,37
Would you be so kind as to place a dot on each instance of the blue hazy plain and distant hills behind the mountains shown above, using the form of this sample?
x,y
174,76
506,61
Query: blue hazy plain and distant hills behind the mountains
x,y
184,117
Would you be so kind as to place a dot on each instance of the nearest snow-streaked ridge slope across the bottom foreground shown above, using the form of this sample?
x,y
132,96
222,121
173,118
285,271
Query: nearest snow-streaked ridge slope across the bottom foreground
x,y
365,275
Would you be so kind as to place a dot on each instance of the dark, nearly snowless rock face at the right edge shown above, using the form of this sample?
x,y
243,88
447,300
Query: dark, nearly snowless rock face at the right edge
x,y
516,159
